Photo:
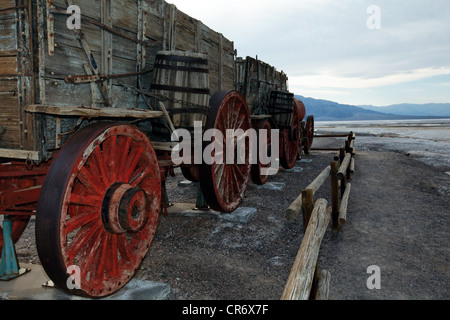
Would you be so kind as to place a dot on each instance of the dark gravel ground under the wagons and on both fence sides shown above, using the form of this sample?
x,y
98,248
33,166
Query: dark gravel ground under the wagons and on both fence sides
x,y
398,219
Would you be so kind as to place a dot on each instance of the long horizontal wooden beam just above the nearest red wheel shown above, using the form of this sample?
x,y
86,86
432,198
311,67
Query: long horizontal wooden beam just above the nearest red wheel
x,y
94,112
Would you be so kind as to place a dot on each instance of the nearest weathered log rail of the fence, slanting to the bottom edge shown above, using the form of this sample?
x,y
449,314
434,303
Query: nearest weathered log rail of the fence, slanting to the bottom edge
x,y
298,286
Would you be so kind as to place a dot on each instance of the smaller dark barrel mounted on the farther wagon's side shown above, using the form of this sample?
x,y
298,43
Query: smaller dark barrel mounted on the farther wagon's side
x,y
281,106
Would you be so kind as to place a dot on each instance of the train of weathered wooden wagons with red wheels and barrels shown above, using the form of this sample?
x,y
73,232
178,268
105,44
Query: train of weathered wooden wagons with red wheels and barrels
x,y
87,114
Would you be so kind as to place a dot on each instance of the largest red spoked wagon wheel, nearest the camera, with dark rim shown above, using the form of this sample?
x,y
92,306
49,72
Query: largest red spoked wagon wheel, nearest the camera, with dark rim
x,y
98,209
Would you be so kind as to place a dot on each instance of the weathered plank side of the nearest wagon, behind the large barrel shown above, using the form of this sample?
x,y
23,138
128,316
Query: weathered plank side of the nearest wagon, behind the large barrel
x,y
106,65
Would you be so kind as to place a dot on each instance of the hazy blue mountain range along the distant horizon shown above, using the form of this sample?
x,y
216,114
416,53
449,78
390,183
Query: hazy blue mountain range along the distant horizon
x,y
324,110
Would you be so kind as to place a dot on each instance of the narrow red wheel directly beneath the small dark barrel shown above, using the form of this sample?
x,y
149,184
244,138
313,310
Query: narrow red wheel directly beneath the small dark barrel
x,y
291,140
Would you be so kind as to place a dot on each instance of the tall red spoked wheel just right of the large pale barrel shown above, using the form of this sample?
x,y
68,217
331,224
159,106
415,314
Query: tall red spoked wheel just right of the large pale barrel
x,y
224,184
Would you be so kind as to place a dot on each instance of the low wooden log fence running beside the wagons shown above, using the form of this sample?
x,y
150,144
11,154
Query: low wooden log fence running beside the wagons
x,y
306,281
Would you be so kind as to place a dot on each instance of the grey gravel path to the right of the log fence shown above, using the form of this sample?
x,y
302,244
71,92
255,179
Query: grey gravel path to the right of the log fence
x,y
399,220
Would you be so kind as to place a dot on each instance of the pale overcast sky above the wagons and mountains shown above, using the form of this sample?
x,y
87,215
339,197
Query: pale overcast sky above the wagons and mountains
x,y
342,50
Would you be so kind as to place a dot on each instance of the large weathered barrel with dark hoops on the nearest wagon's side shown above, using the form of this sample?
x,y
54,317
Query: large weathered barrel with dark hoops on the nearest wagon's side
x,y
182,79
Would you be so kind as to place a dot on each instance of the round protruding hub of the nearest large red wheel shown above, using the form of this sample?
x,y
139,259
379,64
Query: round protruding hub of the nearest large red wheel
x,y
124,209
